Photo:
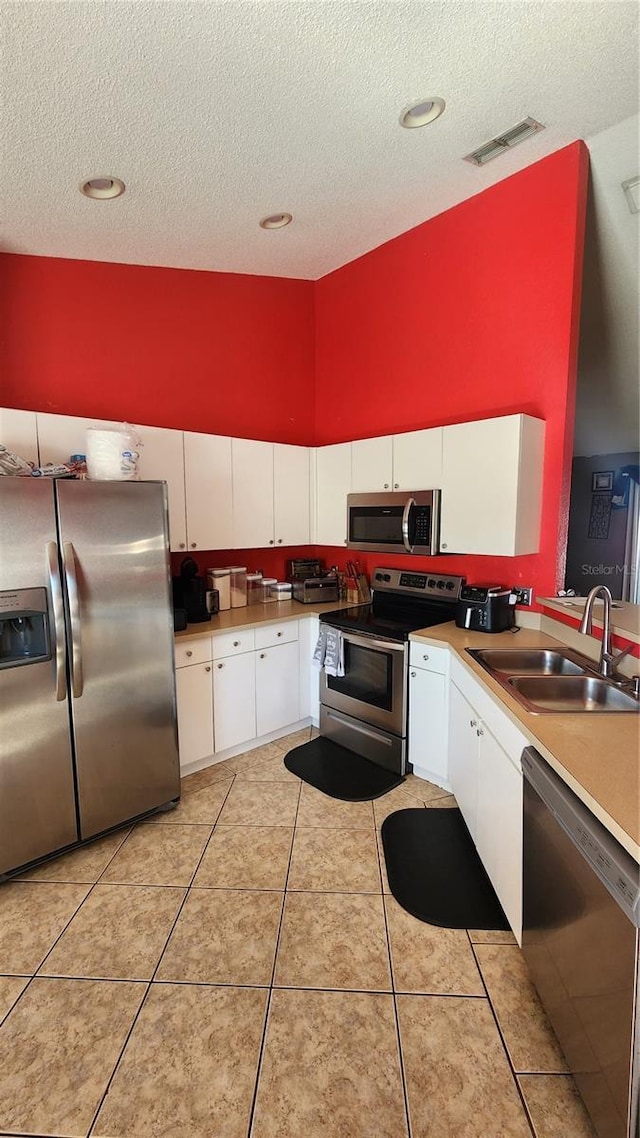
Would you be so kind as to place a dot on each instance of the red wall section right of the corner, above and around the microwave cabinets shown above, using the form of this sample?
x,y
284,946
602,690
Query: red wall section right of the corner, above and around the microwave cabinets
x,y
472,315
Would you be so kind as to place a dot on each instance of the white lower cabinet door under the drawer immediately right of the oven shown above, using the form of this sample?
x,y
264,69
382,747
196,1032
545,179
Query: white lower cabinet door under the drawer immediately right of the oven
x,y
429,725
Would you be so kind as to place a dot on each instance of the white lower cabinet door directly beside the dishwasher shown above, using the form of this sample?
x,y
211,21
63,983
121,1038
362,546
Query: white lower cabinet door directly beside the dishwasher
x,y
499,827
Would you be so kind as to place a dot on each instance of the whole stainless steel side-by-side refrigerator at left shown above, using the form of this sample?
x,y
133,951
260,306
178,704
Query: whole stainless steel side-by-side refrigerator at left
x,y
88,729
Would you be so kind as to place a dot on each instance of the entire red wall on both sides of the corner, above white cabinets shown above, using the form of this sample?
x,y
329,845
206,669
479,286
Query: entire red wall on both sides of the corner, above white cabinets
x,y
472,315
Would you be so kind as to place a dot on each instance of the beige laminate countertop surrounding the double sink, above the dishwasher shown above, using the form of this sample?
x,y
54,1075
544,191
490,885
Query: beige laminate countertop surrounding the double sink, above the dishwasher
x,y
596,754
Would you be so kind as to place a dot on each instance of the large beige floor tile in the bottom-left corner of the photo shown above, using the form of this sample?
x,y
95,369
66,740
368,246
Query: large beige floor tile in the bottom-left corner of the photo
x,y
59,1049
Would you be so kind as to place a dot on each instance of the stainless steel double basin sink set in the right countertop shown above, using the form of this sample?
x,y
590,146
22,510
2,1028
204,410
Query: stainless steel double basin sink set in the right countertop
x,y
554,681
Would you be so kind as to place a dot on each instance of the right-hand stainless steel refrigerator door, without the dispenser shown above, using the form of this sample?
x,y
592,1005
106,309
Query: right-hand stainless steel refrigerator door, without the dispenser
x,y
117,571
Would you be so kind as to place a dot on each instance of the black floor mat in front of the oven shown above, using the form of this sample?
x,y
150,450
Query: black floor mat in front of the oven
x,y
340,773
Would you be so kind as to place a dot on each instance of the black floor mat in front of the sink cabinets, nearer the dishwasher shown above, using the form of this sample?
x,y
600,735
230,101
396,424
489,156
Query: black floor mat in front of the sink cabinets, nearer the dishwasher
x,y
436,873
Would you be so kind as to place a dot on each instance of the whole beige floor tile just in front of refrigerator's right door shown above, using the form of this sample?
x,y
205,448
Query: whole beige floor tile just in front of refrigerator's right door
x,y
159,856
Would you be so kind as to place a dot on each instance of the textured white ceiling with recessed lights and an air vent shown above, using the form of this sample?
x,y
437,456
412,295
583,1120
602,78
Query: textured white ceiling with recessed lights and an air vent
x,y
219,112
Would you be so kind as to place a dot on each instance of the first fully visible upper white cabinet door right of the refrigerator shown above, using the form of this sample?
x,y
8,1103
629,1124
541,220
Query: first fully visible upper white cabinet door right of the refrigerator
x,y
208,483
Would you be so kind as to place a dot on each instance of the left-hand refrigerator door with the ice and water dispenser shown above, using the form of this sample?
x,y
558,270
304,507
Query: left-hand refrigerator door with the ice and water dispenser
x,y
37,793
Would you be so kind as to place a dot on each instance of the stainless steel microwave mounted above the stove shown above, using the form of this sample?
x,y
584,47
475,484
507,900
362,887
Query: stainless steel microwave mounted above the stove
x,y
400,523
